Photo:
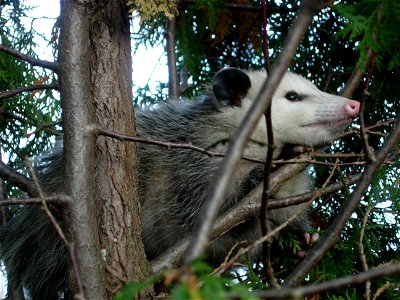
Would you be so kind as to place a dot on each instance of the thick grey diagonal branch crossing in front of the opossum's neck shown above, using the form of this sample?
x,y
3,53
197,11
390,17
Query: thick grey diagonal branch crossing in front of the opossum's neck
x,y
200,237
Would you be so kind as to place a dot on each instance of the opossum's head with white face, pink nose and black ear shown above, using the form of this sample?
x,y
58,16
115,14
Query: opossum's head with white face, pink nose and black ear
x,y
301,113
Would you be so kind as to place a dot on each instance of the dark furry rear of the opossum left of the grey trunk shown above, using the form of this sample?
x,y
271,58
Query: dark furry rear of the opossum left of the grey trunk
x,y
30,247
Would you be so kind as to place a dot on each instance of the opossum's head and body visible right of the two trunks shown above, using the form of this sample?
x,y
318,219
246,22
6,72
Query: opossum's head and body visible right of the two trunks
x,y
301,115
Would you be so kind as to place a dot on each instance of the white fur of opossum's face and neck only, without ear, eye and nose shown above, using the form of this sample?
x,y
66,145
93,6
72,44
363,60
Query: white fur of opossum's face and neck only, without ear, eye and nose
x,y
315,120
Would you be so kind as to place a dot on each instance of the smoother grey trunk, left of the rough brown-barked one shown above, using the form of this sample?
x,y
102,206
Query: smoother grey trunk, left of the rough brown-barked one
x,y
79,141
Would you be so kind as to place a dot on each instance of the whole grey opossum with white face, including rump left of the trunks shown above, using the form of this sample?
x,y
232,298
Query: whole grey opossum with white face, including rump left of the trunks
x,y
174,184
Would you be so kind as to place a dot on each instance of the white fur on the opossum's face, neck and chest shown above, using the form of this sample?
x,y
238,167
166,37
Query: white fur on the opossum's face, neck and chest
x,y
314,120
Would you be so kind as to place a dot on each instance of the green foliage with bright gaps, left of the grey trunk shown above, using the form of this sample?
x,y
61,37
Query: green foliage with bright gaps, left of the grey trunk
x,y
27,120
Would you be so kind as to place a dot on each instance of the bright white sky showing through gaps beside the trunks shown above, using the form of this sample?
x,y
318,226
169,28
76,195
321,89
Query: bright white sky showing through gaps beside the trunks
x,y
150,64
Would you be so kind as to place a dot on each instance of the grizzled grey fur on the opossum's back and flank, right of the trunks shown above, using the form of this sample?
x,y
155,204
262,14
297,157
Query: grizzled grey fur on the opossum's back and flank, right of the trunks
x,y
173,184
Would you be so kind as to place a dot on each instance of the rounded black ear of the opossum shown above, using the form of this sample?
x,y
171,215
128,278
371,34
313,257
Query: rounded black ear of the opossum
x,y
231,86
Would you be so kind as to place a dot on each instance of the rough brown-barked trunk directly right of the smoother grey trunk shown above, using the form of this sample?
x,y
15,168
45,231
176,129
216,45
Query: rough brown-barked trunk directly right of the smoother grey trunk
x,y
116,180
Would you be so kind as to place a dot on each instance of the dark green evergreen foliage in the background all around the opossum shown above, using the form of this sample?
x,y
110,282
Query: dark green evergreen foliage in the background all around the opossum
x,y
212,34
